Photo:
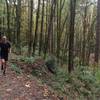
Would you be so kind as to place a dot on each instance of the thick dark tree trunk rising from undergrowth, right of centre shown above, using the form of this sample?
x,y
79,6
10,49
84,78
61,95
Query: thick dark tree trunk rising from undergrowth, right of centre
x,y
71,35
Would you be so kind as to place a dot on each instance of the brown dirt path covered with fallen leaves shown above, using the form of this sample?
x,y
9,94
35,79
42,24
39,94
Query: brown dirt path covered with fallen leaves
x,y
23,87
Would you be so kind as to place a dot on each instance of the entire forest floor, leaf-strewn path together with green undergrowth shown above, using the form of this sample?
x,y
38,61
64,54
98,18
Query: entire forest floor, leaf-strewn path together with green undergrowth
x,y
29,79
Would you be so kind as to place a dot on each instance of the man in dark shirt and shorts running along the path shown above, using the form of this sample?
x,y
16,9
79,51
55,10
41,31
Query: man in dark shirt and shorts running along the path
x,y
5,49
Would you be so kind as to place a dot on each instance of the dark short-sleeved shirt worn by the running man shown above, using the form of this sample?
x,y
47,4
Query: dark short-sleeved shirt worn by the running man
x,y
4,48
